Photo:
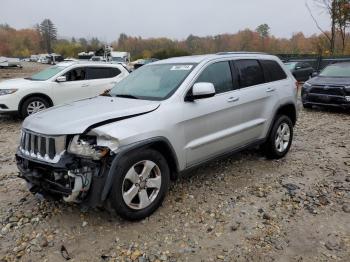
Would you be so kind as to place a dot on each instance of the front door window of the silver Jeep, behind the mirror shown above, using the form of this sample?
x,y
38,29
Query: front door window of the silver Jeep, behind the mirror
x,y
220,75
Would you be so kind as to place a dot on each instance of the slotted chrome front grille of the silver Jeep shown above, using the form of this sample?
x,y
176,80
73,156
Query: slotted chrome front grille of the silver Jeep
x,y
42,147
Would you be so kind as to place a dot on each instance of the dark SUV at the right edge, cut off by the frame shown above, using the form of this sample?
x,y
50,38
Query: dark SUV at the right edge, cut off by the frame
x,y
330,88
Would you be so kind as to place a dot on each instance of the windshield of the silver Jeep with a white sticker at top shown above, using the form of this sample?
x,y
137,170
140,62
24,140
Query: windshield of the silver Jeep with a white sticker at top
x,y
153,82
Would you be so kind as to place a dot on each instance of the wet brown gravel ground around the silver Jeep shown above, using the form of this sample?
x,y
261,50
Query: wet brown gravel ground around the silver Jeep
x,y
242,208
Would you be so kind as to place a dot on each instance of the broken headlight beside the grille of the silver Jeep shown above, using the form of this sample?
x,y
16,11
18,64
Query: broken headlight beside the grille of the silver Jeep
x,y
86,146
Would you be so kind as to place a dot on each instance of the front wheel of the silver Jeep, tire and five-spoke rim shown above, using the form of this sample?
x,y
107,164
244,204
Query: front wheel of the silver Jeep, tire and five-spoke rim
x,y
130,205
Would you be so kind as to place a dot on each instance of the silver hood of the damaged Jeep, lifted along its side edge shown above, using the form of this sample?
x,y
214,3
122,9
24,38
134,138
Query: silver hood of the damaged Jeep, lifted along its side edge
x,y
76,117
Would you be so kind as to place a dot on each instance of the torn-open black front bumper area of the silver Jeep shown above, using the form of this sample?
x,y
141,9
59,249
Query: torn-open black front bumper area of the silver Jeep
x,y
72,178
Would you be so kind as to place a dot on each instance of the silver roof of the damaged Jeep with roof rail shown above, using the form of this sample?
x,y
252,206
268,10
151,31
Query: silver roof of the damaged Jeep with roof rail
x,y
196,59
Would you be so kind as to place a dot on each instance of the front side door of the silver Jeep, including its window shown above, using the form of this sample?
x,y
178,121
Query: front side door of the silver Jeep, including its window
x,y
210,124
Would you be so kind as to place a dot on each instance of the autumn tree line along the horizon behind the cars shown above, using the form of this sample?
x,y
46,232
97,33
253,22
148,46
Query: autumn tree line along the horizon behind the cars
x,y
330,41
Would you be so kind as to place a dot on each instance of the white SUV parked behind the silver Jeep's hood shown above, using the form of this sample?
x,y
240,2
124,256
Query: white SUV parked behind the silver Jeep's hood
x,y
63,83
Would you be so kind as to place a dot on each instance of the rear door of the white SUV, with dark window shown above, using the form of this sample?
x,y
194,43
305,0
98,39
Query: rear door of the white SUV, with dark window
x,y
102,78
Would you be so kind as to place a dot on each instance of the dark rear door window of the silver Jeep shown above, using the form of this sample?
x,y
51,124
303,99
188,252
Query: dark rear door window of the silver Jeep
x,y
250,72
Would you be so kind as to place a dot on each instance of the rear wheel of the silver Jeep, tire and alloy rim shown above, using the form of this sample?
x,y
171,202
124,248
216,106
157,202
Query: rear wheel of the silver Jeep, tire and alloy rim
x,y
270,147
